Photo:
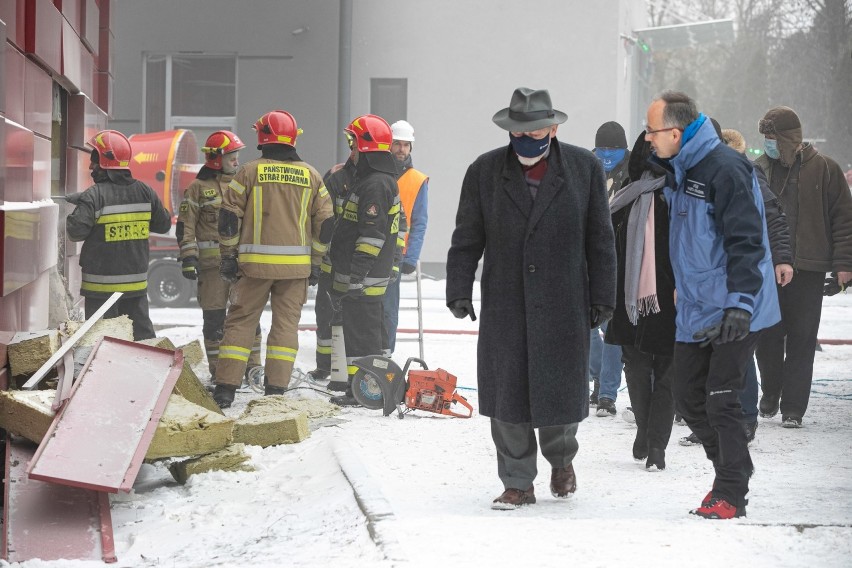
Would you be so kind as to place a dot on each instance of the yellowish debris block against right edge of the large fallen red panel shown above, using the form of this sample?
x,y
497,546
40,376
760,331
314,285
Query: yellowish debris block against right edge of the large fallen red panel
x,y
186,429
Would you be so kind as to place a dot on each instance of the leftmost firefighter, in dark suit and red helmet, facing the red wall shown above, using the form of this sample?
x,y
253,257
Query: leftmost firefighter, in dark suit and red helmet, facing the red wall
x,y
113,219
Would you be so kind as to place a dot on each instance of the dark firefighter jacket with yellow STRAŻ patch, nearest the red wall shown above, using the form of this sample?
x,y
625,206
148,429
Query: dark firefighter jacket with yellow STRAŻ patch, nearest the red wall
x,y
113,220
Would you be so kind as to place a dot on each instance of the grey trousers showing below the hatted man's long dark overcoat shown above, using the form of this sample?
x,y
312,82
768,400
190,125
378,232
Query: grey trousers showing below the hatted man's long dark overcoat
x,y
517,451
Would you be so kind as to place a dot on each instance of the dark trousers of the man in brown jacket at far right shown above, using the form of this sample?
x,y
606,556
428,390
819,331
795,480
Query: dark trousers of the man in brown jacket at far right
x,y
785,352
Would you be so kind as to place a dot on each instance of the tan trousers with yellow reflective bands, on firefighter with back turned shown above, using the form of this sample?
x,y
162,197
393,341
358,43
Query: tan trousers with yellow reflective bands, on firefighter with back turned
x,y
248,298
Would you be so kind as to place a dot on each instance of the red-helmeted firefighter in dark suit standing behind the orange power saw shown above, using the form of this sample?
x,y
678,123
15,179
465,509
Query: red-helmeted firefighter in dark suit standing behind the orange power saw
x,y
365,242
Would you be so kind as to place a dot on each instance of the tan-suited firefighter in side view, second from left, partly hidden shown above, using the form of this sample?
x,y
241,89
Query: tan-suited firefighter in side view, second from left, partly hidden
x,y
198,237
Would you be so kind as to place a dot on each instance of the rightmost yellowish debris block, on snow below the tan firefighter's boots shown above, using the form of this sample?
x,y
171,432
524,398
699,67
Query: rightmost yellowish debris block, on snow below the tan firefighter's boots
x,y
269,421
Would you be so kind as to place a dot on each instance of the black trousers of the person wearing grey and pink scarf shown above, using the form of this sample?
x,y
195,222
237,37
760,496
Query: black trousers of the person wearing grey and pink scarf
x,y
649,382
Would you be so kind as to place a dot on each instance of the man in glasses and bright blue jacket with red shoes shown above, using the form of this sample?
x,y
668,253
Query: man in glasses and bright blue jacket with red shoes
x,y
725,287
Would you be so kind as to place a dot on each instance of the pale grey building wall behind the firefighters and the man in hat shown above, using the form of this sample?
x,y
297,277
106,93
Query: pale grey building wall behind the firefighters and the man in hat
x,y
462,61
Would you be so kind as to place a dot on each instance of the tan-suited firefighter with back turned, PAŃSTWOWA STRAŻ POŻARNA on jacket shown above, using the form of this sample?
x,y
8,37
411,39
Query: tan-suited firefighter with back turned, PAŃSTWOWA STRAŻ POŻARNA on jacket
x,y
274,223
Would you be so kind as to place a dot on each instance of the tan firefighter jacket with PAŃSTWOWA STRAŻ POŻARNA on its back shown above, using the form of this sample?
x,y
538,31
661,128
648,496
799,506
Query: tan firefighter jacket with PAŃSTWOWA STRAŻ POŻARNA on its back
x,y
280,207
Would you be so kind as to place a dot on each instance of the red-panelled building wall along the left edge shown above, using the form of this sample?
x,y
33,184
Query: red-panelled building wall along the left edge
x,y
54,89
